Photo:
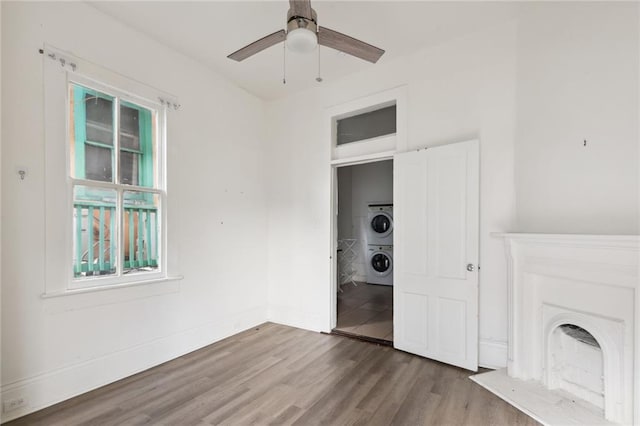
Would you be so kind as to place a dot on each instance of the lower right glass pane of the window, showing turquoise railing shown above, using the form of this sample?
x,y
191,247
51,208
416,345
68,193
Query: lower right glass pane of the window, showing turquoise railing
x,y
141,232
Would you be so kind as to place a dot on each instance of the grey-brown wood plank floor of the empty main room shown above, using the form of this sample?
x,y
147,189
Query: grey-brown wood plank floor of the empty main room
x,y
281,375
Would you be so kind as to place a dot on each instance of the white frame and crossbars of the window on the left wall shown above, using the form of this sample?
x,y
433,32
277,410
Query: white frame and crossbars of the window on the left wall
x,y
159,176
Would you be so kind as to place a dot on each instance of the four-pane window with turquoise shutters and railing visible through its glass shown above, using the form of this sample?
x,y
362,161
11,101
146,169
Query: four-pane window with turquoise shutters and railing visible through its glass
x,y
115,176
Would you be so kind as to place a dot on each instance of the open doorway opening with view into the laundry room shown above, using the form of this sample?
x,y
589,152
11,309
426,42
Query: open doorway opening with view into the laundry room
x,y
364,249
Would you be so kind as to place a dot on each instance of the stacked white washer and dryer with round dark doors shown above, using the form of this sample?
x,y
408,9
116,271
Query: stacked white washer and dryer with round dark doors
x,y
380,244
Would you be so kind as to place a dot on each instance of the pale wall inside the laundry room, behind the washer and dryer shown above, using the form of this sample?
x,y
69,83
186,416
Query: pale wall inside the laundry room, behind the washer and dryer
x,y
363,184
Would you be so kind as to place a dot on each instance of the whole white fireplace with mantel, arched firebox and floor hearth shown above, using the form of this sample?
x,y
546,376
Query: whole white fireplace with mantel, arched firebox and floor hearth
x,y
589,286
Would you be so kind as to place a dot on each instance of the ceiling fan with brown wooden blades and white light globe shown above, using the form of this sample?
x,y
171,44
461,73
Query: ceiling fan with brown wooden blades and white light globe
x,y
303,35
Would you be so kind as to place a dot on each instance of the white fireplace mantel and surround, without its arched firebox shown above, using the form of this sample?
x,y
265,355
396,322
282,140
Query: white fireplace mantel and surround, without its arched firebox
x,y
588,280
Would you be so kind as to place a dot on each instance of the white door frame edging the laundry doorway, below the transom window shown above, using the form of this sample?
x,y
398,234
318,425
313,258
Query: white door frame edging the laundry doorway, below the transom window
x,y
333,239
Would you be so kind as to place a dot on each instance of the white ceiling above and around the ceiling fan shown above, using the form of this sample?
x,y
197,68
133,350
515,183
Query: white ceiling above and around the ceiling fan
x,y
210,30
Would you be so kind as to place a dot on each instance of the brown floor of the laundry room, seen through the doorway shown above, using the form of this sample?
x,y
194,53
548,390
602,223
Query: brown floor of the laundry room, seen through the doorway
x,y
366,310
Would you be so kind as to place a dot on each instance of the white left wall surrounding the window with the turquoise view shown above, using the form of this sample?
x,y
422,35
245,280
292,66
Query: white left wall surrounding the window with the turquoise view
x,y
59,347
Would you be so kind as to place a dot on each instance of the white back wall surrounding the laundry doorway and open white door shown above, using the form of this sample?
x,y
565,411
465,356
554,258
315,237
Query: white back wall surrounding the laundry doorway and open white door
x,y
457,91
